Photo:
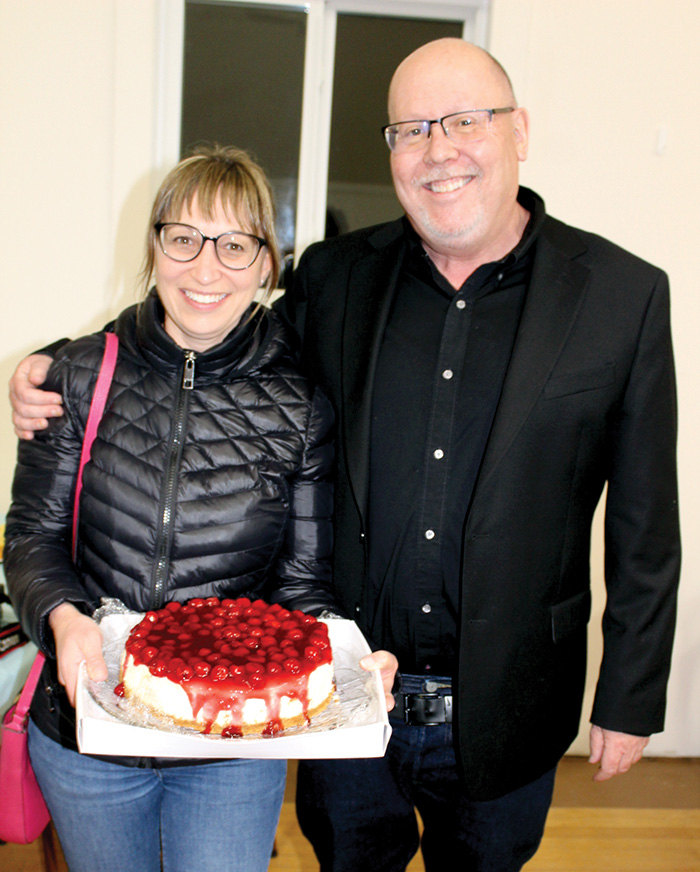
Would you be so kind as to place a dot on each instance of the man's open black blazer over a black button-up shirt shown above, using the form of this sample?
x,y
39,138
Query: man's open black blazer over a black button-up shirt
x,y
588,399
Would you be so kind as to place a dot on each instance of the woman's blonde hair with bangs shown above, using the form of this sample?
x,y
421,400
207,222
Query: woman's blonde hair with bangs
x,y
224,175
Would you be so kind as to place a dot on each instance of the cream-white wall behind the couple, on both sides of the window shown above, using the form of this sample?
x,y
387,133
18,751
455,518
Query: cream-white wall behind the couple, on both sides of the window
x,y
81,154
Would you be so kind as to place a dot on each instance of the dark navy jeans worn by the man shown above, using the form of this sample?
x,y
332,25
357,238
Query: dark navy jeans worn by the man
x,y
360,814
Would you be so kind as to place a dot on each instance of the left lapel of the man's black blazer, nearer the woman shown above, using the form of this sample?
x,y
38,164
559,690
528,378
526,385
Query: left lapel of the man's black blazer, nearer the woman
x,y
372,281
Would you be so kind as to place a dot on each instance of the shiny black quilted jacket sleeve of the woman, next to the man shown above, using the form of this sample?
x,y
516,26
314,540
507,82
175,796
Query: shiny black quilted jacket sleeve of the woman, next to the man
x,y
304,564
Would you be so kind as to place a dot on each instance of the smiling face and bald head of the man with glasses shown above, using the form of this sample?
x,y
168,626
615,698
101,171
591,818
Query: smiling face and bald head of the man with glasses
x,y
459,197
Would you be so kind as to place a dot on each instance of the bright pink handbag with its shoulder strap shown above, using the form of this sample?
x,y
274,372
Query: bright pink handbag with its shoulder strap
x,y
23,812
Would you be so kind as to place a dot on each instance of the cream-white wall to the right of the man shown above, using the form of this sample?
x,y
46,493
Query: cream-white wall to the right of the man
x,y
613,88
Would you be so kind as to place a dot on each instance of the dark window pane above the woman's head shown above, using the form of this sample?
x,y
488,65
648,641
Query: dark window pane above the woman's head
x,y
242,85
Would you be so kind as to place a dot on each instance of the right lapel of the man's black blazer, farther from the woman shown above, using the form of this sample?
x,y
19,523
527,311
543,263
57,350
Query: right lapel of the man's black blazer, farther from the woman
x,y
553,299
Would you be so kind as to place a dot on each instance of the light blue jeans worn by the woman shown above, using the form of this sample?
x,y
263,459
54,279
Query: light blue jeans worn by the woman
x,y
209,817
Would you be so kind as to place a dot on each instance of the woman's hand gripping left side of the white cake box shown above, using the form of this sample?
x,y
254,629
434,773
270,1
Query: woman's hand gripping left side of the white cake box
x,y
77,638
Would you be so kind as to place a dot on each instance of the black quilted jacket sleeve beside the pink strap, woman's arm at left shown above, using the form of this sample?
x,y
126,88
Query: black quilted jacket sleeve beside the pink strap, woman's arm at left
x,y
38,564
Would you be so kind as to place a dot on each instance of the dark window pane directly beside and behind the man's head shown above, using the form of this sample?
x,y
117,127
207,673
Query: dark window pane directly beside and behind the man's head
x,y
368,50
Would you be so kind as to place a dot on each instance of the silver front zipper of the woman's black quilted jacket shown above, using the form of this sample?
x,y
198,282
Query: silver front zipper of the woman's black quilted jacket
x,y
172,468
